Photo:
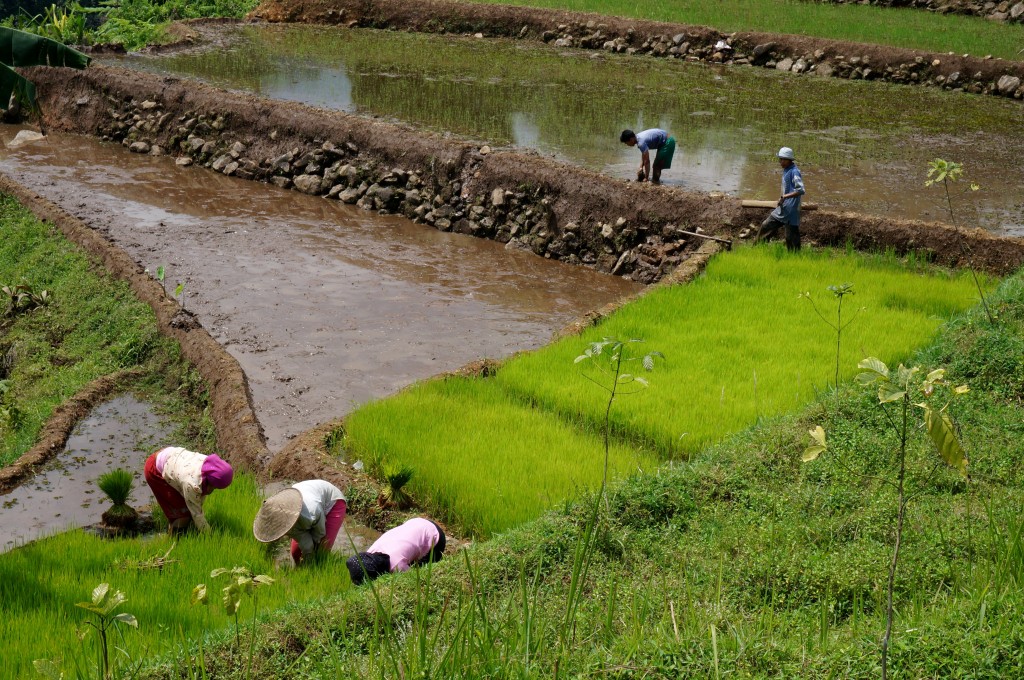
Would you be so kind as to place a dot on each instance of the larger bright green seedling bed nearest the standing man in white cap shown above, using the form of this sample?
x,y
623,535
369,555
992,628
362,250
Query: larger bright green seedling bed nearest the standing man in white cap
x,y
747,351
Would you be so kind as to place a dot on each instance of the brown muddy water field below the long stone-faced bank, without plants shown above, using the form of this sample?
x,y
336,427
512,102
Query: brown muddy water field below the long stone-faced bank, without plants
x,y
325,306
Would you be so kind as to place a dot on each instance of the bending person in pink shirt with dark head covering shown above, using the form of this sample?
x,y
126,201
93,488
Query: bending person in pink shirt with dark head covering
x,y
415,542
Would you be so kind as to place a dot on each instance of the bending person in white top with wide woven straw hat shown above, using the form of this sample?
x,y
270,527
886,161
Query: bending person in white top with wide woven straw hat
x,y
311,513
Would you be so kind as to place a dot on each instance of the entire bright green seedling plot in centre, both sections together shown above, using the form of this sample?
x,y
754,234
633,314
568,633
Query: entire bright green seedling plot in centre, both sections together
x,y
741,346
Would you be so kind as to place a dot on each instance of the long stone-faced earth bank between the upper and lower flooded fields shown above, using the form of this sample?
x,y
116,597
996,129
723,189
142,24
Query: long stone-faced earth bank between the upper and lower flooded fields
x,y
552,209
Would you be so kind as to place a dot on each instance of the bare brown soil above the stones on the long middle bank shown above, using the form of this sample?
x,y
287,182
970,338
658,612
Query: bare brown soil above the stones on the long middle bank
x,y
86,102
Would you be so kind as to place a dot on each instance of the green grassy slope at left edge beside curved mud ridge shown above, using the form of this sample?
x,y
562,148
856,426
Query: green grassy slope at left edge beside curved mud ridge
x,y
94,326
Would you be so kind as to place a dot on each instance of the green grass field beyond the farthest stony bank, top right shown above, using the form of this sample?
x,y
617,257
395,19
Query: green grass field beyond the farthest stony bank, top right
x,y
883,26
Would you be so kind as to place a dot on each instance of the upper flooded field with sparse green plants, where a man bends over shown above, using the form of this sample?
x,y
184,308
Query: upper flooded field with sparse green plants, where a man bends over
x,y
863,146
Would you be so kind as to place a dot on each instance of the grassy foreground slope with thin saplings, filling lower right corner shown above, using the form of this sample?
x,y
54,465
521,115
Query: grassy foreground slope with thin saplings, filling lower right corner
x,y
741,563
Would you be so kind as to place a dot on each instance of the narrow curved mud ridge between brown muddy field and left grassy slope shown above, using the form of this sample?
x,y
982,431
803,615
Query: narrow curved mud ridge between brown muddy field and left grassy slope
x,y
239,434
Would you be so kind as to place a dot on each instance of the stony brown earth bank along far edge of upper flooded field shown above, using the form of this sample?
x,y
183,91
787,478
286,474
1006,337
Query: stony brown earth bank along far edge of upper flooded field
x,y
441,16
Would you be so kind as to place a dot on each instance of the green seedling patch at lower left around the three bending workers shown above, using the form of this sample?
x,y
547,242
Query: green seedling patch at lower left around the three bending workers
x,y
40,584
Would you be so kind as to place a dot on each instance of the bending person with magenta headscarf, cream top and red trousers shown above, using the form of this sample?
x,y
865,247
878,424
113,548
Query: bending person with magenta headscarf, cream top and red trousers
x,y
181,479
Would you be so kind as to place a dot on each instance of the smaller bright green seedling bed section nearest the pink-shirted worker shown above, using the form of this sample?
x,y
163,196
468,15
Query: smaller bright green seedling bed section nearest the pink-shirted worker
x,y
481,457
